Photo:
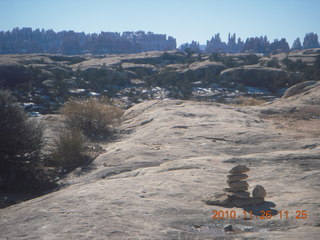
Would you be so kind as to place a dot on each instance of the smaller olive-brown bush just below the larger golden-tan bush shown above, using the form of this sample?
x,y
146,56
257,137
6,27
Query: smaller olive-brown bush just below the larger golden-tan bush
x,y
69,150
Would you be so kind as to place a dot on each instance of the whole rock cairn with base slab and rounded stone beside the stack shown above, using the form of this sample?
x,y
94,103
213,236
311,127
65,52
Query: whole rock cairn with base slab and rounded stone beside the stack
x,y
236,194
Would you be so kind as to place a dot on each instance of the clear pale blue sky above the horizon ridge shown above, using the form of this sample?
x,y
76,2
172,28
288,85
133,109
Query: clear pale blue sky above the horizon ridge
x,y
185,20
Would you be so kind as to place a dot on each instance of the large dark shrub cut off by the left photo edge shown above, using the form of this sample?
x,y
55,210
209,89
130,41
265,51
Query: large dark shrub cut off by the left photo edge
x,y
20,139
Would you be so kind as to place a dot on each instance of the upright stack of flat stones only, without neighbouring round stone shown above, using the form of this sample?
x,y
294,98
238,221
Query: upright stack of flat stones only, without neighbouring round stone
x,y
237,187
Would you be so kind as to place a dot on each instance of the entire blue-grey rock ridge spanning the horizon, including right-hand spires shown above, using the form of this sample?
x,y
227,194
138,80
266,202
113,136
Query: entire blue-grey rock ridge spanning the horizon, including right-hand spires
x,y
26,41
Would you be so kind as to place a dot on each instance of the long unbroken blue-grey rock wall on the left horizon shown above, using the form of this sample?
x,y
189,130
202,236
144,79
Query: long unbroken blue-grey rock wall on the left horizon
x,y
26,40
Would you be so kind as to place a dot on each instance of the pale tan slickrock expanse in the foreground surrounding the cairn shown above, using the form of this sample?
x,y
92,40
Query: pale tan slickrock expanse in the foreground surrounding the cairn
x,y
168,155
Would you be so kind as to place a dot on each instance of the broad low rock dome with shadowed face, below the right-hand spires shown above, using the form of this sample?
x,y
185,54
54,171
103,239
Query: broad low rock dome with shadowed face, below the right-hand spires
x,y
256,76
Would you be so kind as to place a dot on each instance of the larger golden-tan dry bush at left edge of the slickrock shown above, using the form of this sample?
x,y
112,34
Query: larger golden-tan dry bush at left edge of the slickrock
x,y
94,117
